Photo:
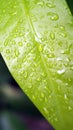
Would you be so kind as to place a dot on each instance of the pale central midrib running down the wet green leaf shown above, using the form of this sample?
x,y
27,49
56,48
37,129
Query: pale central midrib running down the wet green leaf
x,y
44,64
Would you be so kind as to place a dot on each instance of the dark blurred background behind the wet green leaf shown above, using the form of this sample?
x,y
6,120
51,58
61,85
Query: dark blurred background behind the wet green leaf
x,y
17,112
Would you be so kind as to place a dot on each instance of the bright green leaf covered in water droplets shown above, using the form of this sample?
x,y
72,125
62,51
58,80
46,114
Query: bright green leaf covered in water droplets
x,y
36,42
